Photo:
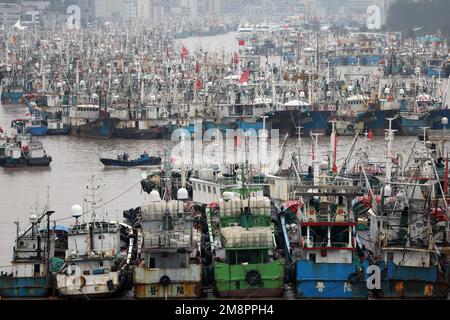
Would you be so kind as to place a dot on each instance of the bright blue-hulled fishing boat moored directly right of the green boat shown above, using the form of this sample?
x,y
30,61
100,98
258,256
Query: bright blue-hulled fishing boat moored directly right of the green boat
x,y
326,265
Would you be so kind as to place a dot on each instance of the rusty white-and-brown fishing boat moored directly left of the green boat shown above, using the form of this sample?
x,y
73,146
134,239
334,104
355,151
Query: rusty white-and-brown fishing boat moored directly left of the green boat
x,y
169,251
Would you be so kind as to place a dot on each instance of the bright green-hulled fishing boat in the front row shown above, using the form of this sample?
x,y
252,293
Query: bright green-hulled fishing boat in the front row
x,y
241,235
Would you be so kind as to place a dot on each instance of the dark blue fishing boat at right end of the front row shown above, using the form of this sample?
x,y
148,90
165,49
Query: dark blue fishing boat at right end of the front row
x,y
402,233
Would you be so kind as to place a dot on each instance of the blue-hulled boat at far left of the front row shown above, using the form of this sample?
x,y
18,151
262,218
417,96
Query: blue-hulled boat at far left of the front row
x,y
32,262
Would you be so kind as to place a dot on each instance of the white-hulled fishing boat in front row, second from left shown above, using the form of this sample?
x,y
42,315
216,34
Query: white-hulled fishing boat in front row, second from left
x,y
98,257
